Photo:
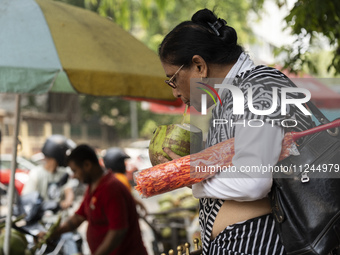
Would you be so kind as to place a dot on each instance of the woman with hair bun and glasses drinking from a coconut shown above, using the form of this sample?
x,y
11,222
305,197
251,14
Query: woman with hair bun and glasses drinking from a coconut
x,y
235,213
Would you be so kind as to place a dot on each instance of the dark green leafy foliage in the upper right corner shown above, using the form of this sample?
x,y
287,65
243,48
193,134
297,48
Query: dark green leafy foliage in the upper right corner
x,y
313,22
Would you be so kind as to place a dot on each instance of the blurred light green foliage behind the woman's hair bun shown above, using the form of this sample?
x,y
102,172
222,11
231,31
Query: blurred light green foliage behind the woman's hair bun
x,y
150,20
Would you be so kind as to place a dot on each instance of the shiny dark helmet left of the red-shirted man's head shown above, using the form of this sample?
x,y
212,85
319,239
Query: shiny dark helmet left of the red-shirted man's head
x,y
57,146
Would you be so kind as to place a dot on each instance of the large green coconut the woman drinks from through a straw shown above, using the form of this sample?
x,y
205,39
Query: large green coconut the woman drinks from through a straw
x,y
182,139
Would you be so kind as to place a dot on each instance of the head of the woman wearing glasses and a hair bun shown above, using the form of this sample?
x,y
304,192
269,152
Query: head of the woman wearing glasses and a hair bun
x,y
197,49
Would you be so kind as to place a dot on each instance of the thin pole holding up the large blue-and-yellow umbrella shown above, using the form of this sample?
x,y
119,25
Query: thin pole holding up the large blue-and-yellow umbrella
x,y
11,187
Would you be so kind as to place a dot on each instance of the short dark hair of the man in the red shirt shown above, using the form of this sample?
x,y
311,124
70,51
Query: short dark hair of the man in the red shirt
x,y
82,153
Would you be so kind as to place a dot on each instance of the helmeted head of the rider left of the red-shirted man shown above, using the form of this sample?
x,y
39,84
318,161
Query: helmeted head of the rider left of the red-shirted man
x,y
55,150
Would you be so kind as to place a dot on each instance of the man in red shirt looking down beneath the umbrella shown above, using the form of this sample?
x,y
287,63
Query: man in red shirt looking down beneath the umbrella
x,y
108,207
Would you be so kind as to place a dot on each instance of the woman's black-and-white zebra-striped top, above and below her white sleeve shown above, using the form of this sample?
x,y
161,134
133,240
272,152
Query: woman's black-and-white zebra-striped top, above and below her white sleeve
x,y
262,80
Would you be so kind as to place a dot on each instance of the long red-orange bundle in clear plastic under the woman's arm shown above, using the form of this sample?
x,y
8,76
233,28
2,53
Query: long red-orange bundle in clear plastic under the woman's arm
x,y
181,172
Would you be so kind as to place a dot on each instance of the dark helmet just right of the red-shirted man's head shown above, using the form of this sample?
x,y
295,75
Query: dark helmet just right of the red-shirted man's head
x,y
114,159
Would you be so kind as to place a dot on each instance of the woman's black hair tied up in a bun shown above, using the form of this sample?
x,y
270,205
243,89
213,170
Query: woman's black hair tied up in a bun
x,y
205,35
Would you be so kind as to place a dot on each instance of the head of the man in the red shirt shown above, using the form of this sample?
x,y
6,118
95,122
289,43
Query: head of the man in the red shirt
x,y
84,163
